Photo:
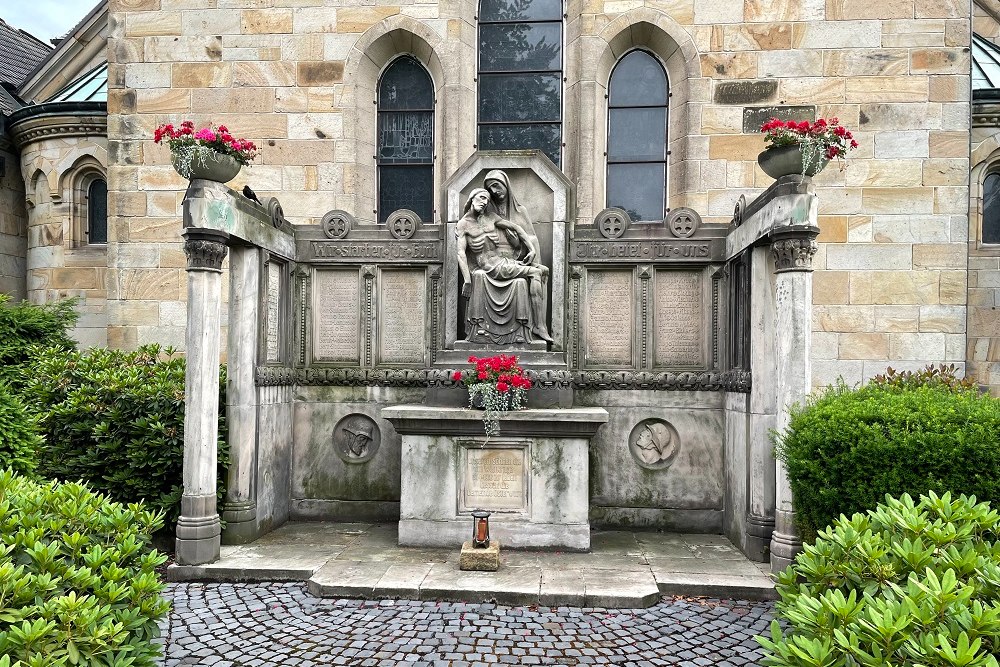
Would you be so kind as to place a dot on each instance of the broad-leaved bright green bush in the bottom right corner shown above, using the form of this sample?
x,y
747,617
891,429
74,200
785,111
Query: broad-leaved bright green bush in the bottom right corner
x,y
907,585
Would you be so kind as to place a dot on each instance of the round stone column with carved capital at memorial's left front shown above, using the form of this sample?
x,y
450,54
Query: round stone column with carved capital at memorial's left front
x,y
198,527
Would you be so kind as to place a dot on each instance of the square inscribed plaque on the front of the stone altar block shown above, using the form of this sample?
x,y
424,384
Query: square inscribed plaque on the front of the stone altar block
x,y
495,479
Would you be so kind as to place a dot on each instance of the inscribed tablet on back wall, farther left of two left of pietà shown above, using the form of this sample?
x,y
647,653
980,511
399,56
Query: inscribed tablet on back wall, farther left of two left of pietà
x,y
336,316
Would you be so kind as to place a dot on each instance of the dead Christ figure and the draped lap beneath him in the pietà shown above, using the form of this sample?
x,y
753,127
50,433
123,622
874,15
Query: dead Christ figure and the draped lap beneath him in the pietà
x,y
505,294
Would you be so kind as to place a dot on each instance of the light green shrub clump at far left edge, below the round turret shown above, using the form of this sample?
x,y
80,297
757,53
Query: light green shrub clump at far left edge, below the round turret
x,y
26,329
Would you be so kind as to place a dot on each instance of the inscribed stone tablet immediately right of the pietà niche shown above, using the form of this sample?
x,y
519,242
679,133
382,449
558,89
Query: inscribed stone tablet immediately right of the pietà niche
x,y
609,317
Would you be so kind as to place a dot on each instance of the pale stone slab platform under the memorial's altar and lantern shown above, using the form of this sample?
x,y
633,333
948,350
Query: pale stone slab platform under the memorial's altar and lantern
x,y
624,569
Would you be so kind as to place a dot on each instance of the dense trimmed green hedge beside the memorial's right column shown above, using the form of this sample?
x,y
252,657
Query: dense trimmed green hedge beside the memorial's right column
x,y
846,449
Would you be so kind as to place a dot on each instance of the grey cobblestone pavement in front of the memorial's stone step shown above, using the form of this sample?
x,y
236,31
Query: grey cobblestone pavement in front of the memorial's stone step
x,y
264,625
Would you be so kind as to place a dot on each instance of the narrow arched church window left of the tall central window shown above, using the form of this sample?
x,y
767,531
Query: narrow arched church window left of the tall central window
x,y
405,139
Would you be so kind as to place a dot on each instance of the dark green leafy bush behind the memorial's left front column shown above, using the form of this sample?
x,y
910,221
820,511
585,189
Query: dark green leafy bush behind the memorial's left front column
x,y
116,420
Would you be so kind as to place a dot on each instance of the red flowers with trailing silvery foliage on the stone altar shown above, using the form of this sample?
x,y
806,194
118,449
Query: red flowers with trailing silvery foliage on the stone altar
x,y
498,384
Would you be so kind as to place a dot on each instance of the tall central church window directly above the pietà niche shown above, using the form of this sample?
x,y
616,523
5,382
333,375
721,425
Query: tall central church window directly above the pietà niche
x,y
520,75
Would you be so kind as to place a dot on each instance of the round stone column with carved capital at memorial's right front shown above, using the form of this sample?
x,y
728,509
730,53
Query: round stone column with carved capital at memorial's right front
x,y
793,250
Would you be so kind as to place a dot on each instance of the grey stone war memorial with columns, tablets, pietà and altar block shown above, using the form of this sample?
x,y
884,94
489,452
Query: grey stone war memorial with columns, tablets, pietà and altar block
x,y
344,339
